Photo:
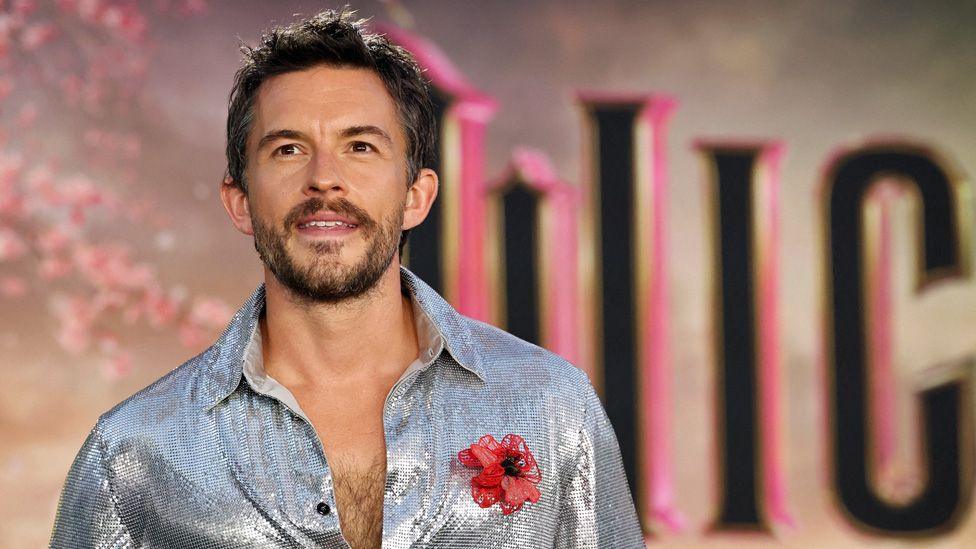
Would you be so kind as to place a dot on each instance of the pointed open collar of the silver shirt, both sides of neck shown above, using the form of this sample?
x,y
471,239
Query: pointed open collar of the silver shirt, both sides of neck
x,y
437,323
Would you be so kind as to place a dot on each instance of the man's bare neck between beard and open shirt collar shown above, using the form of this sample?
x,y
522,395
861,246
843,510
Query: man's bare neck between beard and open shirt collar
x,y
304,342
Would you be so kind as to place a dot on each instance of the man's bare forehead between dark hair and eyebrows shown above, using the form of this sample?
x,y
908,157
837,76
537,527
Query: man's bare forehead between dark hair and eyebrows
x,y
324,98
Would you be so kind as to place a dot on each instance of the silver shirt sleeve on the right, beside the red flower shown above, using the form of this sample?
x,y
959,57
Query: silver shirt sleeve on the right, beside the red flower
x,y
597,508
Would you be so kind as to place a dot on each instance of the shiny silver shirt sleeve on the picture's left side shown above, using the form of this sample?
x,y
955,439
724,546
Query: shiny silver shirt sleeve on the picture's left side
x,y
87,514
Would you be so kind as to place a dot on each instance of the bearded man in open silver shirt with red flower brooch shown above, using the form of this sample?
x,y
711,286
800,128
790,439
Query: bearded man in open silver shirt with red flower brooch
x,y
347,404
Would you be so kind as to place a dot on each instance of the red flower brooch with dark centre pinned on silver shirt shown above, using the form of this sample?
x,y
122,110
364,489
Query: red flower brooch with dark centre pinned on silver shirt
x,y
509,472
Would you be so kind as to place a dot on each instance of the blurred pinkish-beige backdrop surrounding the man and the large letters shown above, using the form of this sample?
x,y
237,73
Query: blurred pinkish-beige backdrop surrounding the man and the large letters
x,y
117,262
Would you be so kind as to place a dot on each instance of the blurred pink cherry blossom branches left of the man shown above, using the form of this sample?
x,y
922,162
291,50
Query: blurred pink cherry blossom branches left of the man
x,y
96,288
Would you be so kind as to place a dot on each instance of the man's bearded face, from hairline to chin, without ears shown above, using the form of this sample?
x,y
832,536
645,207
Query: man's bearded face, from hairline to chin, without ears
x,y
326,180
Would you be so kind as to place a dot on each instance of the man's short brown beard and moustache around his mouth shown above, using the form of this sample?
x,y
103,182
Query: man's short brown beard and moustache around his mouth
x,y
324,278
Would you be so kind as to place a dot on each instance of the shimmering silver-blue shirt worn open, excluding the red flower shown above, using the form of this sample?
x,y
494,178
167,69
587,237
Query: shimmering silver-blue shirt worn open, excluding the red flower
x,y
200,459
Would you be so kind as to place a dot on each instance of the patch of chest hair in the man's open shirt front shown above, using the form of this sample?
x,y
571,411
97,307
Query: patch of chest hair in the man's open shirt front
x,y
359,497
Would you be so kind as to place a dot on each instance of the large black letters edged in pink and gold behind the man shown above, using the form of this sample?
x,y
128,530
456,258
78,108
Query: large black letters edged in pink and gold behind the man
x,y
582,270
